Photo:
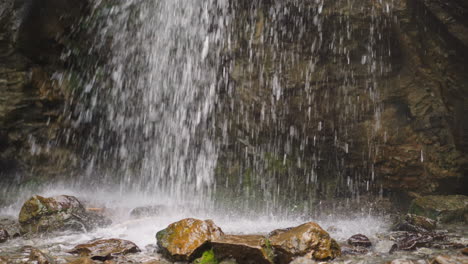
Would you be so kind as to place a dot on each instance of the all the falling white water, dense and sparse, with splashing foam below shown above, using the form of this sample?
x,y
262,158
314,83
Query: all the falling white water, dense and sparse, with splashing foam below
x,y
153,113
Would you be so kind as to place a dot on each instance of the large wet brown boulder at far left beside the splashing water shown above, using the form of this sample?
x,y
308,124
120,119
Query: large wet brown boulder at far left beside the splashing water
x,y
40,215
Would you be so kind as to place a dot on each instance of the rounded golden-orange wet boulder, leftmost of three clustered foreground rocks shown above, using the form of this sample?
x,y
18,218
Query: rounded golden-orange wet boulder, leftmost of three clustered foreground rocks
x,y
185,240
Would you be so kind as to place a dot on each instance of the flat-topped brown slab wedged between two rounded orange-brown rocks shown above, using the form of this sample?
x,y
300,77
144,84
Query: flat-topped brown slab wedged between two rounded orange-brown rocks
x,y
249,249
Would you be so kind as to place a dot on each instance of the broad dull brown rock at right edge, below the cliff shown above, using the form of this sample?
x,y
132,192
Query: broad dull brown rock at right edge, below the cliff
x,y
445,209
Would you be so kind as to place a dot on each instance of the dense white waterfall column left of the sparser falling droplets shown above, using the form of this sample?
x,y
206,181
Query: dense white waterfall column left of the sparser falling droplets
x,y
148,95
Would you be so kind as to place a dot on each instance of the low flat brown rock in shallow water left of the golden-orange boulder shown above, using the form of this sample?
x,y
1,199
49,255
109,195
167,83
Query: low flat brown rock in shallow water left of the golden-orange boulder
x,y
105,249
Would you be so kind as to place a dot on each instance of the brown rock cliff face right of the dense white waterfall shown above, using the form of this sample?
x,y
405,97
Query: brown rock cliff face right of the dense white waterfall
x,y
361,97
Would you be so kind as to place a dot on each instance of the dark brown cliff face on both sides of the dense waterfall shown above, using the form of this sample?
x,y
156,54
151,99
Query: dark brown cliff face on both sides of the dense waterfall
x,y
359,97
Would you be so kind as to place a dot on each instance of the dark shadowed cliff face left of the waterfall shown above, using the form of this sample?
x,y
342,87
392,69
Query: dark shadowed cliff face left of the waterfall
x,y
32,92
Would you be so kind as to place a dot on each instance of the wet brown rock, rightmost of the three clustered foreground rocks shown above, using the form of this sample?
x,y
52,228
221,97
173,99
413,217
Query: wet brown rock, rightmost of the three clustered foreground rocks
x,y
307,240
